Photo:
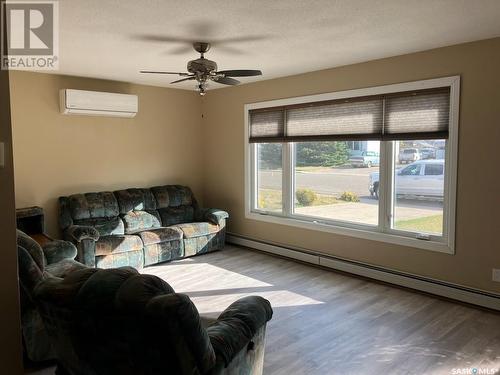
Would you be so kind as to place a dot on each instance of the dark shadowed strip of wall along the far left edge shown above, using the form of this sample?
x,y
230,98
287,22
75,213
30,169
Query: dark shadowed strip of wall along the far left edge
x,y
10,336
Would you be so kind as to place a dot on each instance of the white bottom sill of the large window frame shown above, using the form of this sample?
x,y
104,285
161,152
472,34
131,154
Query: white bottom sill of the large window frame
x,y
373,235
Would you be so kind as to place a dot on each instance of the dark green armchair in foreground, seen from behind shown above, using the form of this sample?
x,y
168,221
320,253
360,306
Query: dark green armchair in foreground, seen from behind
x,y
117,321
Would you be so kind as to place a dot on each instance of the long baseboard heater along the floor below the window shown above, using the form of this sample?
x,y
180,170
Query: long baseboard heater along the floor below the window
x,y
424,284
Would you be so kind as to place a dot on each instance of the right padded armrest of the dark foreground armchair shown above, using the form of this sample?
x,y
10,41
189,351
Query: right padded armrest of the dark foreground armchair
x,y
236,326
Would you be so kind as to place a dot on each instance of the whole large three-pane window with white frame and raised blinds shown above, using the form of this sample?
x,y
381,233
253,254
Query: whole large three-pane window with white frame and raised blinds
x,y
376,163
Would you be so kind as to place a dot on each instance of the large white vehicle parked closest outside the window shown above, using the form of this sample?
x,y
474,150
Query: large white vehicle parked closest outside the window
x,y
423,178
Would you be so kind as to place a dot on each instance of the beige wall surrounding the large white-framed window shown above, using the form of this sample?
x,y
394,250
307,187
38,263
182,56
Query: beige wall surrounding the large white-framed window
x,y
477,223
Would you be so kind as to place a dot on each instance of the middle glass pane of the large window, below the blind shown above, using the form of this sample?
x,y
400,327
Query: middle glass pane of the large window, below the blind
x,y
328,184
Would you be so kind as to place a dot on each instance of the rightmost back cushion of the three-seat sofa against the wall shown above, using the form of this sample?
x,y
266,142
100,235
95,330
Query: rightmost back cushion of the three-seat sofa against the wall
x,y
175,204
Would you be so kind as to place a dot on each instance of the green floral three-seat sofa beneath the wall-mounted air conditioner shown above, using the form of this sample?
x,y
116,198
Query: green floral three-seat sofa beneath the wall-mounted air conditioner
x,y
140,227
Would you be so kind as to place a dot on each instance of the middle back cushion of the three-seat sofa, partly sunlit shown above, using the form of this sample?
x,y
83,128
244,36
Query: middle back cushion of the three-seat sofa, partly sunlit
x,y
137,209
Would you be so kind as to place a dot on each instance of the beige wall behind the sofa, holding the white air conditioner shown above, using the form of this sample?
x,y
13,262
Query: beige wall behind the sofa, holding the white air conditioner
x,y
56,154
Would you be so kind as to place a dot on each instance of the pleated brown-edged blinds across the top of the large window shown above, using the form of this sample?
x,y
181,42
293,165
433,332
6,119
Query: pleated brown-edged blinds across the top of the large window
x,y
420,114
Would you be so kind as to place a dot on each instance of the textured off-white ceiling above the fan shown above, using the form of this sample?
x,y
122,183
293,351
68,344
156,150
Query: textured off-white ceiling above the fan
x,y
105,38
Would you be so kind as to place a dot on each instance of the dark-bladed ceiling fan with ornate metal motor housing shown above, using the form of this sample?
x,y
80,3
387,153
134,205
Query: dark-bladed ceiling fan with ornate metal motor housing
x,y
203,70
